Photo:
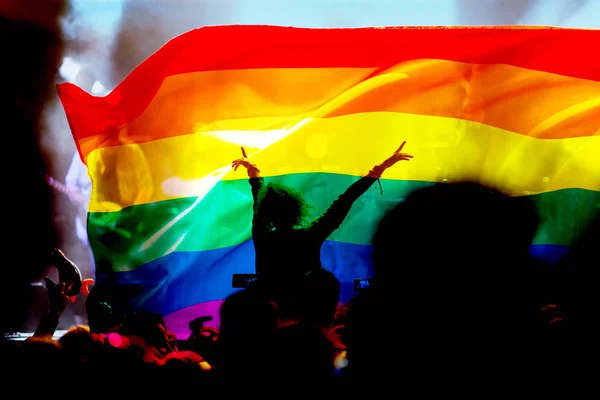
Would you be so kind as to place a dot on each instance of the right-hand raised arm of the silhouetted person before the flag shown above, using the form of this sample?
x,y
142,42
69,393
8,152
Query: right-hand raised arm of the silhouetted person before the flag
x,y
339,209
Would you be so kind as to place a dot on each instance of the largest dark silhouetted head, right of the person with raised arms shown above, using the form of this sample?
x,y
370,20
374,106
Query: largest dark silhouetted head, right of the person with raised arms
x,y
458,250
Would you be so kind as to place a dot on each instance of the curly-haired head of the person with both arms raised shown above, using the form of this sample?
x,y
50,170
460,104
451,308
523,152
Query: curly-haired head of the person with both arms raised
x,y
281,207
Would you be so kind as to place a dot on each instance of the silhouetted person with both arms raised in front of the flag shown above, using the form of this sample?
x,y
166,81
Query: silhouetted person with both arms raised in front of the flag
x,y
286,248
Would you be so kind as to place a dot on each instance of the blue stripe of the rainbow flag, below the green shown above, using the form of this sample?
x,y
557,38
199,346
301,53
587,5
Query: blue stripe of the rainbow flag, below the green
x,y
182,279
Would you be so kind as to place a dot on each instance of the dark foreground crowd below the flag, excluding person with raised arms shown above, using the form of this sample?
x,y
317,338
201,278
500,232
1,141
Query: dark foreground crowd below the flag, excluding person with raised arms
x,y
456,297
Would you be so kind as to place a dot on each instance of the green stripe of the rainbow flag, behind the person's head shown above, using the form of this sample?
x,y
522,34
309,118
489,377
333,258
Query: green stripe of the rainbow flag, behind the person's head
x,y
139,234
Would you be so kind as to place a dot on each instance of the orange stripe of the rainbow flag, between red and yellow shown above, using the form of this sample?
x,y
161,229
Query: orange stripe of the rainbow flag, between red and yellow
x,y
548,105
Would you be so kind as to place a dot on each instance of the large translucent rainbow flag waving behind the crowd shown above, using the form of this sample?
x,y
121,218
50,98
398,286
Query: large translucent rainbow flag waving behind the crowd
x,y
516,108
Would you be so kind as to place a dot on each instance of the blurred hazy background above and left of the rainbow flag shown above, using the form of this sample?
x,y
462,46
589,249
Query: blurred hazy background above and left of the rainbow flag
x,y
97,43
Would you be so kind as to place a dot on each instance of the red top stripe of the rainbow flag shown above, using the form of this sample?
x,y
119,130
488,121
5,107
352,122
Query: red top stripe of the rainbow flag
x,y
556,50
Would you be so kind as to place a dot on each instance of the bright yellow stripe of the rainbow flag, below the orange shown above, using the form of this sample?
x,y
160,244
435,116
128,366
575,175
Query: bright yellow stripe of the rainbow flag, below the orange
x,y
443,148
